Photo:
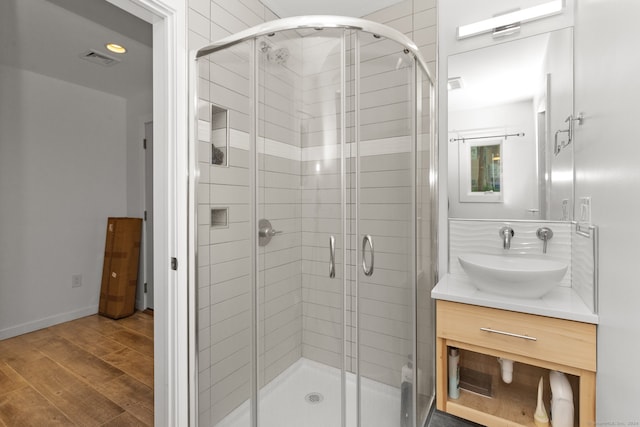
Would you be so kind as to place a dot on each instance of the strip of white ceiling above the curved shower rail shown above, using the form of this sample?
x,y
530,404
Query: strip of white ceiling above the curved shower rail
x,y
354,8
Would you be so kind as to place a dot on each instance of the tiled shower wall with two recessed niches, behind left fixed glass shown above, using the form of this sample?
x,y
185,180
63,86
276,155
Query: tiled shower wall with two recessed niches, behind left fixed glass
x,y
224,253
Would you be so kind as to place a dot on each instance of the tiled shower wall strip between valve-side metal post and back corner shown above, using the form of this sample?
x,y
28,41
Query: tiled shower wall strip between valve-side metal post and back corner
x,y
280,309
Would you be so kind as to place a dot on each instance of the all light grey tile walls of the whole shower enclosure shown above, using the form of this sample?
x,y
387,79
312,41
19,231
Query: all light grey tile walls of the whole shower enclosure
x,y
300,308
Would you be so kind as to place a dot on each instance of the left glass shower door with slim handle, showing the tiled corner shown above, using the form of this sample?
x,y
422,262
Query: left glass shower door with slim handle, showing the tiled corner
x,y
300,313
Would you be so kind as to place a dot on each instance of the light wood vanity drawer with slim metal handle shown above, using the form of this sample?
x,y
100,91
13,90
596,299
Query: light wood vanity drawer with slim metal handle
x,y
556,340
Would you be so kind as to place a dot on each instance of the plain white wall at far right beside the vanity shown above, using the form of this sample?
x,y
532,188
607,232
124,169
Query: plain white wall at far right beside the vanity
x,y
607,153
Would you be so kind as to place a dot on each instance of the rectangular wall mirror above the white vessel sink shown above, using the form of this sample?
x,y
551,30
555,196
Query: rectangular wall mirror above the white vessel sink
x,y
510,115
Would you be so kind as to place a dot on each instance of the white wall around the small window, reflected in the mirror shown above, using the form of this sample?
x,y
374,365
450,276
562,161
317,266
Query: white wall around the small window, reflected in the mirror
x,y
519,175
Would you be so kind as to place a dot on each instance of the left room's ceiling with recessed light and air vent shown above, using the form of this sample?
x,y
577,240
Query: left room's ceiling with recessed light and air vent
x,y
48,37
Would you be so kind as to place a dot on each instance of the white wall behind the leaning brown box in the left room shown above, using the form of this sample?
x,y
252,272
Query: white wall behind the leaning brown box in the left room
x,y
62,173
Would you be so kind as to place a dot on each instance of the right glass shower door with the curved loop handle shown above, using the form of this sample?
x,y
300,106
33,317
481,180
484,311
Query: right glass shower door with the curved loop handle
x,y
385,230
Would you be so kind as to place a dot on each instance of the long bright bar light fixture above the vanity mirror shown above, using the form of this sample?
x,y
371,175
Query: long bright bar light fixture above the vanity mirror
x,y
510,22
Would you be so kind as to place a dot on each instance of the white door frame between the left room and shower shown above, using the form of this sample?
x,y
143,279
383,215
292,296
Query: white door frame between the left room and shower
x,y
170,102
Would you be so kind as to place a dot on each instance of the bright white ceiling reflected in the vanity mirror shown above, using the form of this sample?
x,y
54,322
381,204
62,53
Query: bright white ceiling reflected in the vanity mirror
x,y
499,74
